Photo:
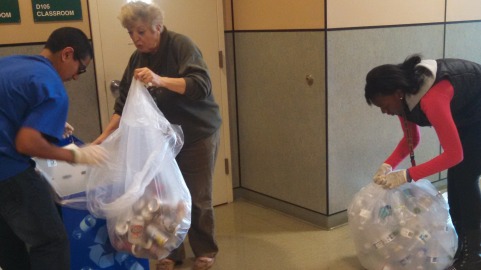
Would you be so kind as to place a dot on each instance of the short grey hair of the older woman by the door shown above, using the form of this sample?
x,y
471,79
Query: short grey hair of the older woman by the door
x,y
132,12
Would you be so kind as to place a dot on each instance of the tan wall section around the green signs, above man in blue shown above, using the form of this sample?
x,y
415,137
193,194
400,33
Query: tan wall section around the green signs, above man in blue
x,y
27,31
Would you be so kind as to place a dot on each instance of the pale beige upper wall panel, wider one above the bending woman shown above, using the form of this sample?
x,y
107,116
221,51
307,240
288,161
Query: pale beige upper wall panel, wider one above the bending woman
x,y
355,13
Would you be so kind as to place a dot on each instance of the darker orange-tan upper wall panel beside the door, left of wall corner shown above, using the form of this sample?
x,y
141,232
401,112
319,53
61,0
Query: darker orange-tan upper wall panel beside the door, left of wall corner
x,y
278,14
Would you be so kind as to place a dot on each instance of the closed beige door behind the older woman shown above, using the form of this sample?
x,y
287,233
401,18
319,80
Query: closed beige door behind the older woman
x,y
202,21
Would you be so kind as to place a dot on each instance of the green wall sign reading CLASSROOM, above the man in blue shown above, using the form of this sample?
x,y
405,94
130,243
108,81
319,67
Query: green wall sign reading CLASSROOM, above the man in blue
x,y
56,10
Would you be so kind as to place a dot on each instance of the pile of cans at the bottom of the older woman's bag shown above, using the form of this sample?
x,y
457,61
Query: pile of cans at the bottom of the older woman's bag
x,y
152,228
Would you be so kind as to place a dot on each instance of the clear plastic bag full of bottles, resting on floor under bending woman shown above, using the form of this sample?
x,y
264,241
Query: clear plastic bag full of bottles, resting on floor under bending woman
x,y
408,227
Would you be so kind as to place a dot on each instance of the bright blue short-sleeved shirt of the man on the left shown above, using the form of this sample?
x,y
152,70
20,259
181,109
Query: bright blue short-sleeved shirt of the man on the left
x,y
32,95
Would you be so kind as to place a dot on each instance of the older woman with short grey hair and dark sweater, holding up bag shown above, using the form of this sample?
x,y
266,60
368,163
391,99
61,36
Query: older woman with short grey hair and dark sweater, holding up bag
x,y
178,79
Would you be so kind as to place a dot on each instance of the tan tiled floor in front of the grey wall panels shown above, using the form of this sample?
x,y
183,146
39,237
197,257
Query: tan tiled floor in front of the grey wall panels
x,y
252,237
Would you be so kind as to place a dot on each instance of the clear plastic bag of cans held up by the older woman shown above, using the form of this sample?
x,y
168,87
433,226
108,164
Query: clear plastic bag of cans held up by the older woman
x,y
141,192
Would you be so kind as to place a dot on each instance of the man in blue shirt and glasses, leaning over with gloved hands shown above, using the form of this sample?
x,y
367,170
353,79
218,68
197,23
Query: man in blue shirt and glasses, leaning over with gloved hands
x,y
33,113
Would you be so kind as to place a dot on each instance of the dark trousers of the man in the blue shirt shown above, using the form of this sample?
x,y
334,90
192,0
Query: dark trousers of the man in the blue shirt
x,y
32,234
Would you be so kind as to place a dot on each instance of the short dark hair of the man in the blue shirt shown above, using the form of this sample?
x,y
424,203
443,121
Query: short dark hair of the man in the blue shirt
x,y
70,37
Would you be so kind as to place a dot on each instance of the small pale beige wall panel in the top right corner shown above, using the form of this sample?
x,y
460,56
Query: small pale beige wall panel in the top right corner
x,y
463,10
